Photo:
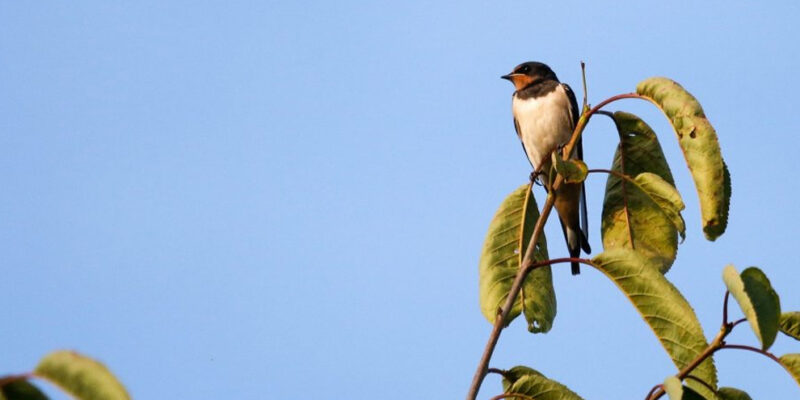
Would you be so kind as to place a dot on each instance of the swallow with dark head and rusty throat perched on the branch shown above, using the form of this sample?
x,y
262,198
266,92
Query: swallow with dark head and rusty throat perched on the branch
x,y
545,113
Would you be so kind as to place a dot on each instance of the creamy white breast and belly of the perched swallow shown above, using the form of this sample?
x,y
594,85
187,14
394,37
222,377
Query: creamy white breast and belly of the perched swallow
x,y
544,122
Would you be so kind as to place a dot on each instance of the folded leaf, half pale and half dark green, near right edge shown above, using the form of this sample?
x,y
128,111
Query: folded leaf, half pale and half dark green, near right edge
x,y
758,301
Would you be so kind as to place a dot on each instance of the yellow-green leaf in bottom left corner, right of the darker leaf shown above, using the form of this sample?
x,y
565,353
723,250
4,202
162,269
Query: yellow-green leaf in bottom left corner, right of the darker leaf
x,y
80,376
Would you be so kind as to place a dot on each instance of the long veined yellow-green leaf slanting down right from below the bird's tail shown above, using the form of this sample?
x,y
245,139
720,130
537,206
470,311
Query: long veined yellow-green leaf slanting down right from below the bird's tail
x,y
663,308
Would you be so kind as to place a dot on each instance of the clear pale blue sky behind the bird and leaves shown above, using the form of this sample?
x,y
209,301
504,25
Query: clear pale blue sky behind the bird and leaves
x,y
264,200
